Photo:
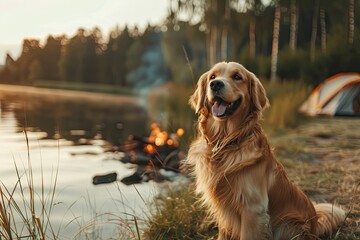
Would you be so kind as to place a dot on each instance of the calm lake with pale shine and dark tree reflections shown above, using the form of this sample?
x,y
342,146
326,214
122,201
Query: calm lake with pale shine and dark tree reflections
x,y
66,133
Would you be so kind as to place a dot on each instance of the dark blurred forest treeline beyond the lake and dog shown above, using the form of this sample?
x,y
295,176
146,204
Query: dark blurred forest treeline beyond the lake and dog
x,y
287,39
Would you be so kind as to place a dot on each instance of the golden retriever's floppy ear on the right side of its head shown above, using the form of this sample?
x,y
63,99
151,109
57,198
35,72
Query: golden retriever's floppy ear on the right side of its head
x,y
258,94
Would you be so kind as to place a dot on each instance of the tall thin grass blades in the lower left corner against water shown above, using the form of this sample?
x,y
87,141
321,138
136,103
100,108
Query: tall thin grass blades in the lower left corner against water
x,y
25,213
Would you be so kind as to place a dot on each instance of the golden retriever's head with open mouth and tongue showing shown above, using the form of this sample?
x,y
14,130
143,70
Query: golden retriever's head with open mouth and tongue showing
x,y
229,92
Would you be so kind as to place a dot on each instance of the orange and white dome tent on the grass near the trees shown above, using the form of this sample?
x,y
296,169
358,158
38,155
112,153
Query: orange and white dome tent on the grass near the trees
x,y
338,95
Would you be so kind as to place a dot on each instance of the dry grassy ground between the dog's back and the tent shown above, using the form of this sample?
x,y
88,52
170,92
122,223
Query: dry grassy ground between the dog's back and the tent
x,y
323,158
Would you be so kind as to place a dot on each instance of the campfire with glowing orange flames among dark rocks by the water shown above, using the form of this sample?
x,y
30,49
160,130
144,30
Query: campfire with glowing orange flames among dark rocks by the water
x,y
159,151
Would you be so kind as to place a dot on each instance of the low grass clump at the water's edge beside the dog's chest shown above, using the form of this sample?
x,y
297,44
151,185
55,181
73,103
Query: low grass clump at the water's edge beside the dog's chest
x,y
177,215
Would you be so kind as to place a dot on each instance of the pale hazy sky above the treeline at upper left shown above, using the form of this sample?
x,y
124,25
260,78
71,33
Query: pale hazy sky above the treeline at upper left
x,y
21,19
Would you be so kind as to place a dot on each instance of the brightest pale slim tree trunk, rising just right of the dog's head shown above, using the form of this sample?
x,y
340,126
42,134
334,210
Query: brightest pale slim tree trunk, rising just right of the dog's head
x,y
275,43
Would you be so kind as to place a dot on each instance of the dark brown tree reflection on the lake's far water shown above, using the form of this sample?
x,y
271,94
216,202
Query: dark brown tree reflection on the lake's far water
x,y
76,120
